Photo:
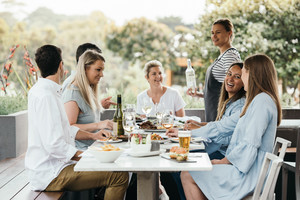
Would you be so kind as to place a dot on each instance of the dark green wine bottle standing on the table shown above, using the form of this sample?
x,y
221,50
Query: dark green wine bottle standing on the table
x,y
118,116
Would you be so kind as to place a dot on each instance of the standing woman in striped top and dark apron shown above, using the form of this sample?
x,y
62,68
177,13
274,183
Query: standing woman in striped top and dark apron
x,y
222,34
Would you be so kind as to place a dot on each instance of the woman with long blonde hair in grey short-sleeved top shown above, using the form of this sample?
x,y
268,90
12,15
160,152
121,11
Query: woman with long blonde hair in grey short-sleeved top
x,y
81,98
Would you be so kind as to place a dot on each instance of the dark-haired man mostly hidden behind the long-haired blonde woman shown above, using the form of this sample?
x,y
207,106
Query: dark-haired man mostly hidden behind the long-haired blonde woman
x,y
106,102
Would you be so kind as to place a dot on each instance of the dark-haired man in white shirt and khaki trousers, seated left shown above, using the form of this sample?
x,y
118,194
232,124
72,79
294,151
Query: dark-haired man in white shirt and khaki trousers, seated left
x,y
51,153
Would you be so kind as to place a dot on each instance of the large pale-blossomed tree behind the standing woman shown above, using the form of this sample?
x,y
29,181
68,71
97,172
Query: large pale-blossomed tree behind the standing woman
x,y
261,27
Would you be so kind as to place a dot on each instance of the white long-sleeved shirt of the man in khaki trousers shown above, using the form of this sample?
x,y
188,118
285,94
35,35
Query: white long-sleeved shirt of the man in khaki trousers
x,y
51,139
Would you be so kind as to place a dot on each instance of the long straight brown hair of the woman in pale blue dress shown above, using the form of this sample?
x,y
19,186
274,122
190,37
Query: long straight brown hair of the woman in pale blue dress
x,y
262,78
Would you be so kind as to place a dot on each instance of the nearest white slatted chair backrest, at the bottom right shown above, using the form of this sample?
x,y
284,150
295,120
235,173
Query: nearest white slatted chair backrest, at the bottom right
x,y
268,175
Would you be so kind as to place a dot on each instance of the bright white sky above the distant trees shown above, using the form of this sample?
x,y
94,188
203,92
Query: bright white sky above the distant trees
x,y
120,10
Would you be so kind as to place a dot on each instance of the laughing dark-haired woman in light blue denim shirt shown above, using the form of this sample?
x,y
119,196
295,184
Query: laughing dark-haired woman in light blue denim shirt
x,y
231,102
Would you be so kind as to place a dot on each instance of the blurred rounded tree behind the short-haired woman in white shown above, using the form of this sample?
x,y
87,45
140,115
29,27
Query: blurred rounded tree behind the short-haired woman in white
x,y
142,40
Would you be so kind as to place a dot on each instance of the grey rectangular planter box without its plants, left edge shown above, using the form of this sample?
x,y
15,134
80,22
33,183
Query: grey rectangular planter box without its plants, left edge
x,y
13,134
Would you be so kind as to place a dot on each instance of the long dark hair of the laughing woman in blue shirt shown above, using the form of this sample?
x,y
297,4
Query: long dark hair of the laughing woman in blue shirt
x,y
224,98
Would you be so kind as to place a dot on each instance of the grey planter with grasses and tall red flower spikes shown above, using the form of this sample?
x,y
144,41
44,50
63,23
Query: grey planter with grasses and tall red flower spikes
x,y
13,109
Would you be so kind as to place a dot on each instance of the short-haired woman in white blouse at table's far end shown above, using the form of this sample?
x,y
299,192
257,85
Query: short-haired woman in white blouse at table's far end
x,y
158,95
